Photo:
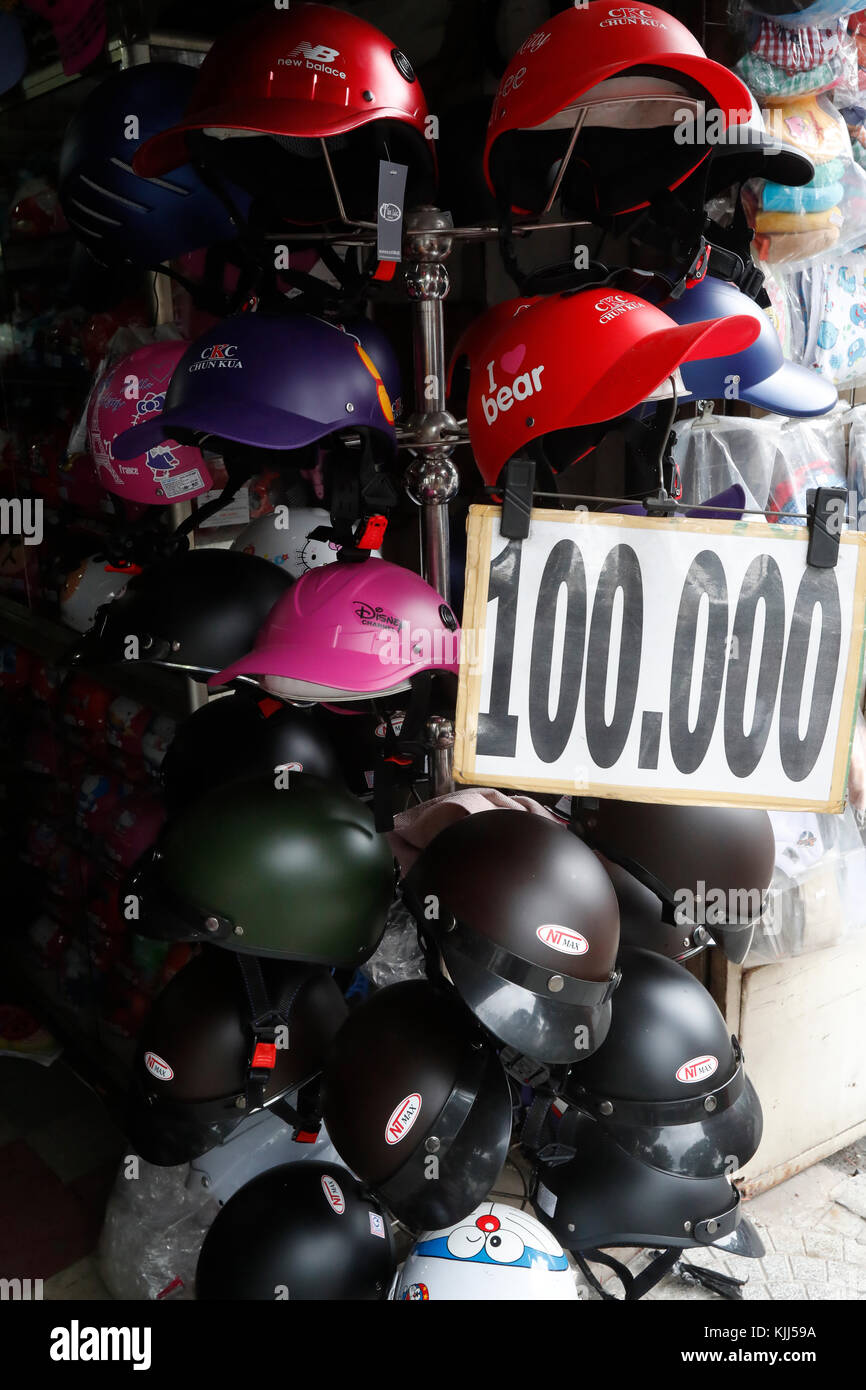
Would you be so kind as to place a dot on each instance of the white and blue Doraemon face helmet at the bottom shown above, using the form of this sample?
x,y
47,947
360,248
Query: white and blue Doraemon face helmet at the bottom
x,y
496,1253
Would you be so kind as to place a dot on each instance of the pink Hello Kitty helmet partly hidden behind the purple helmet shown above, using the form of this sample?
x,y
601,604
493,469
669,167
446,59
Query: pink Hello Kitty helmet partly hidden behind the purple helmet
x,y
165,473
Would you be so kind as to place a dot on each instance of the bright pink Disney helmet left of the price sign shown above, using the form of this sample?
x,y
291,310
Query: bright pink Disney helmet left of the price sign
x,y
351,632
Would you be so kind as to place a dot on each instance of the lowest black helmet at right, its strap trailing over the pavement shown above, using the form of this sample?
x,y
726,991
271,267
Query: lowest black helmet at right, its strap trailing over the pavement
x,y
601,1197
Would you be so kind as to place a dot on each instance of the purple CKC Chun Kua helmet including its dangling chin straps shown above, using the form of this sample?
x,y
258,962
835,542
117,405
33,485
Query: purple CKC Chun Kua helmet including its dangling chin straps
x,y
265,391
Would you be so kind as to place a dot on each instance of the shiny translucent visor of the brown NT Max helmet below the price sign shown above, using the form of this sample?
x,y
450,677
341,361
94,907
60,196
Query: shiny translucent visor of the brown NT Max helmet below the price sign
x,y
541,1029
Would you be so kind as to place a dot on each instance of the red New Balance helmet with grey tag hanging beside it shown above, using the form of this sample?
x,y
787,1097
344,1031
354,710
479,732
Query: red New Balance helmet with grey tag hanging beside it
x,y
300,106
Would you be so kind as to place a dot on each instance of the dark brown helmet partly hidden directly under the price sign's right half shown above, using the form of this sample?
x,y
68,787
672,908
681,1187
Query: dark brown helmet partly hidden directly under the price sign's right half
x,y
711,867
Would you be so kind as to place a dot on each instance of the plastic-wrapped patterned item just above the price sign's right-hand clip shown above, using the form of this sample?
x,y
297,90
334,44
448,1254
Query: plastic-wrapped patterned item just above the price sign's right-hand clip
x,y
811,455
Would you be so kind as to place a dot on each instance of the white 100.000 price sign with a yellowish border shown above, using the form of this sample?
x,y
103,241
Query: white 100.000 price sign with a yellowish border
x,y
660,660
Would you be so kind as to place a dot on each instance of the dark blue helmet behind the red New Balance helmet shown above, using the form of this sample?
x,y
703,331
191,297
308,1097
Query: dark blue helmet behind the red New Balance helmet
x,y
113,212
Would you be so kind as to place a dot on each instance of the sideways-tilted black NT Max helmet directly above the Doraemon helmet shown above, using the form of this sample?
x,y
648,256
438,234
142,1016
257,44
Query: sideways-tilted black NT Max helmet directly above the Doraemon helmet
x,y
412,1088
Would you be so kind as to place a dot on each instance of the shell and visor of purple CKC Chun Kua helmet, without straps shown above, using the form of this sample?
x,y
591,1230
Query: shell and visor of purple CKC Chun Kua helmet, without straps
x,y
275,384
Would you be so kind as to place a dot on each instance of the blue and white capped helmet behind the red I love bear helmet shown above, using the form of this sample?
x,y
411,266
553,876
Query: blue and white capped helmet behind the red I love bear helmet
x,y
760,376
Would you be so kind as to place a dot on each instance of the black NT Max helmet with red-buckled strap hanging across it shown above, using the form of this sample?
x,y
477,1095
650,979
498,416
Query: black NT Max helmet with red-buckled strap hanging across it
x,y
204,1060
